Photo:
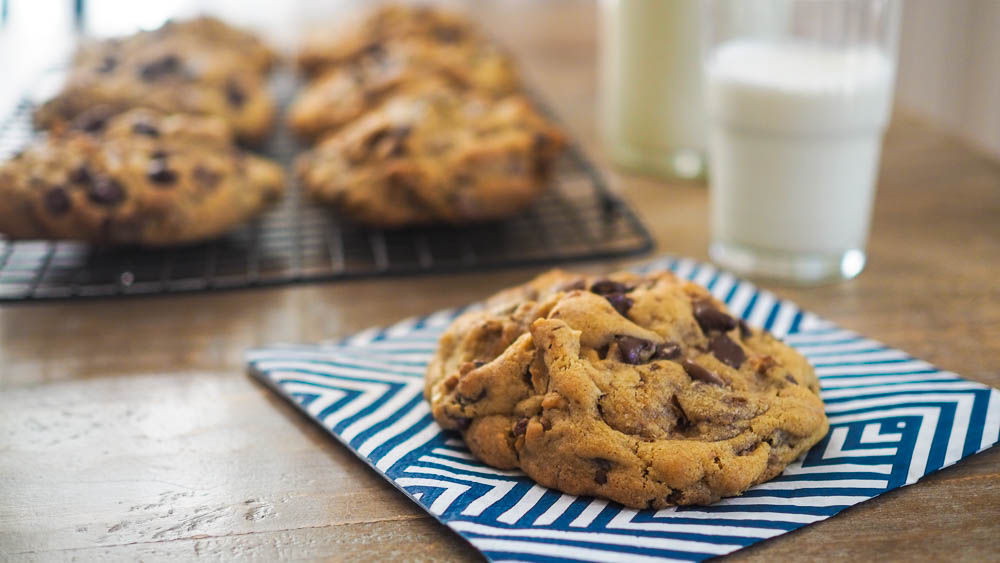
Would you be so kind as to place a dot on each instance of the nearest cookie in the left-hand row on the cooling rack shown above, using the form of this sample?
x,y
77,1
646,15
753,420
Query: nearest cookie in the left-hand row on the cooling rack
x,y
141,178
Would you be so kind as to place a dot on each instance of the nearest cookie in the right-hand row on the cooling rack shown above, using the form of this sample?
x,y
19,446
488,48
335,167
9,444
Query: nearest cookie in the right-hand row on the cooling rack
x,y
435,154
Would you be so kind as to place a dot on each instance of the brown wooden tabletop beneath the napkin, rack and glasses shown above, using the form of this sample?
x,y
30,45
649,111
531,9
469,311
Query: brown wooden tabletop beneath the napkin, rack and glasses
x,y
128,428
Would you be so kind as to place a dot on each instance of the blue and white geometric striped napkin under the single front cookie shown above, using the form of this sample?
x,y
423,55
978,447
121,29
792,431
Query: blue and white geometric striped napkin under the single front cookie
x,y
893,419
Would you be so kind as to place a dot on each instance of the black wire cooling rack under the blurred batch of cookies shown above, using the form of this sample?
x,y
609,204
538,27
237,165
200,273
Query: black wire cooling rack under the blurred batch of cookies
x,y
298,241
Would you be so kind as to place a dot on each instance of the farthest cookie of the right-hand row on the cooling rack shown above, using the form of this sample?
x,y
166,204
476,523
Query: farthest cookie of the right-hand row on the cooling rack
x,y
327,48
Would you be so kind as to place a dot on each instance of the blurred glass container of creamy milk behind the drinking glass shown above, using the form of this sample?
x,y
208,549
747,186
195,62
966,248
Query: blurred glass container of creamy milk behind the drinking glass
x,y
651,111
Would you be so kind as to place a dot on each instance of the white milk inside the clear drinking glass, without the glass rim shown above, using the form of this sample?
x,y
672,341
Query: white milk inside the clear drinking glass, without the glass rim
x,y
795,133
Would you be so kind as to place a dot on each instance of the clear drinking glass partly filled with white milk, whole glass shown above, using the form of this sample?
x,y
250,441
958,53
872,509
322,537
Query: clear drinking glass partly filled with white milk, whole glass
x,y
798,95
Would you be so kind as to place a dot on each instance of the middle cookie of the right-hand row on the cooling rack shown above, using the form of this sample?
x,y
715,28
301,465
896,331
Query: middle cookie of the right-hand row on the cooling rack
x,y
348,90
